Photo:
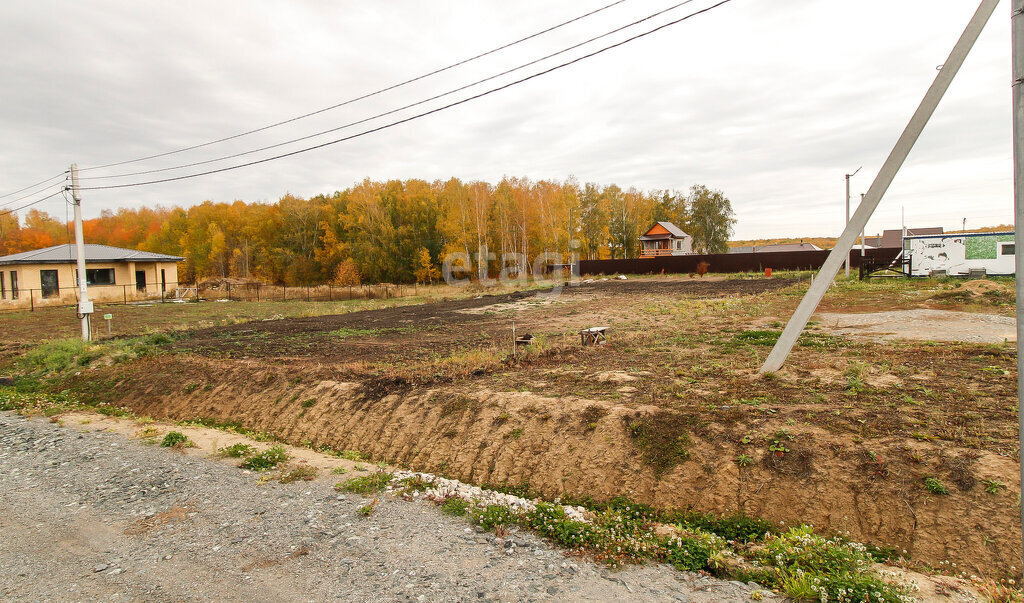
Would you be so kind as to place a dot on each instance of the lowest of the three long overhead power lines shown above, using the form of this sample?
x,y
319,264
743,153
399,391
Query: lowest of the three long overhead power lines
x,y
418,116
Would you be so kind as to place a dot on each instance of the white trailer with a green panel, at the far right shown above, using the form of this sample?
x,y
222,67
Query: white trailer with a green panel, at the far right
x,y
961,255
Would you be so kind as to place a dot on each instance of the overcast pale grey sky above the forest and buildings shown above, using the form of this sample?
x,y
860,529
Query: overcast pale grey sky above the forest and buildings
x,y
772,102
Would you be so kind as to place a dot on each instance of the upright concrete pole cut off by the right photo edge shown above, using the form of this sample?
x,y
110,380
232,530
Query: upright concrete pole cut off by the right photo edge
x,y
1017,27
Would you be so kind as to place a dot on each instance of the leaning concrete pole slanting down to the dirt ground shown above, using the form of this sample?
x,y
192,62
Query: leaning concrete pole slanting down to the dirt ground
x,y
889,170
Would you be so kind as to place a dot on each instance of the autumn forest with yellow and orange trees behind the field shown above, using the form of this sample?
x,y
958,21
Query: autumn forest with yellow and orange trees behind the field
x,y
395,232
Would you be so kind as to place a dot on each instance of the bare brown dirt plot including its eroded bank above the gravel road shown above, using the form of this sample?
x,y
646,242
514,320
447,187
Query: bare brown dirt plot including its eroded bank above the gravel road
x,y
671,412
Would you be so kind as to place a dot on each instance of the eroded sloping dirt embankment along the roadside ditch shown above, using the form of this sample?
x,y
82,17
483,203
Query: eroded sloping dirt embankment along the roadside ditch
x,y
577,447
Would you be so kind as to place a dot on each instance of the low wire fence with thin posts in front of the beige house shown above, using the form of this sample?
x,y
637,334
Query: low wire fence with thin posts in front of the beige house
x,y
32,299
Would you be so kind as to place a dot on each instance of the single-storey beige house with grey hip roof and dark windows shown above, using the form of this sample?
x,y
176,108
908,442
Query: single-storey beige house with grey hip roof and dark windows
x,y
113,274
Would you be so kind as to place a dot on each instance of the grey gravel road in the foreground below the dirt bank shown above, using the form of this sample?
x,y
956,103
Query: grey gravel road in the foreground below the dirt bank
x,y
91,515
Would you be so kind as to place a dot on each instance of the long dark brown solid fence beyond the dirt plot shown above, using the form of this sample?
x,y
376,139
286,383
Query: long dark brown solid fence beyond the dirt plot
x,y
732,263
